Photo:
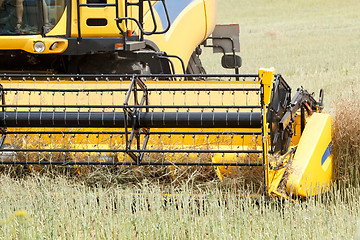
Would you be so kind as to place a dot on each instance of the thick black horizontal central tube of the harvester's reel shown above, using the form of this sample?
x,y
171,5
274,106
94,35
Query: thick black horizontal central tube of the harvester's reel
x,y
141,119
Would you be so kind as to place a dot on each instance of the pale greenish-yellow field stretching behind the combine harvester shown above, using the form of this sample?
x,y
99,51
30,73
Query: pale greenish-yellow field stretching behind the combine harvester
x,y
311,43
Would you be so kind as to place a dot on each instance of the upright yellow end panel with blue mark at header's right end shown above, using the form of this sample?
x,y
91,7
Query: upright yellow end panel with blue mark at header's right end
x,y
312,168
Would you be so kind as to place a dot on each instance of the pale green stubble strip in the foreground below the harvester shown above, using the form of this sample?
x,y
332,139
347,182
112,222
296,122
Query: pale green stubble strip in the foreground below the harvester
x,y
63,209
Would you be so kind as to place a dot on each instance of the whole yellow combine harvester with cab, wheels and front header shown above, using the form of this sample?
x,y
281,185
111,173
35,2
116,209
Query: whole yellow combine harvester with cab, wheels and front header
x,y
120,82
